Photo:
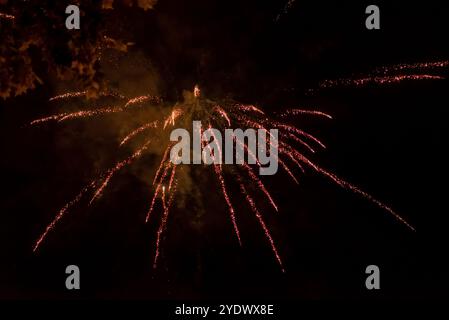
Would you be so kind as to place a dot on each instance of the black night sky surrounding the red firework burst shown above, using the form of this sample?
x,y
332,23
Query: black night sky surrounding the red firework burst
x,y
389,140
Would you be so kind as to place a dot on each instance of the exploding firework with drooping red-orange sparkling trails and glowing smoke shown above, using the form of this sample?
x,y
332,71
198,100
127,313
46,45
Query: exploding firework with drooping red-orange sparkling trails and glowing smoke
x,y
295,148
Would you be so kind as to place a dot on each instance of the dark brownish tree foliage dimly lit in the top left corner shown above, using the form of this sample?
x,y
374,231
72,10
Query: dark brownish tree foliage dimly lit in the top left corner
x,y
34,43
